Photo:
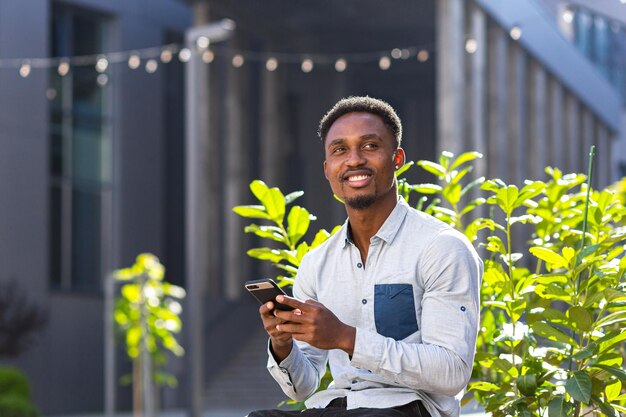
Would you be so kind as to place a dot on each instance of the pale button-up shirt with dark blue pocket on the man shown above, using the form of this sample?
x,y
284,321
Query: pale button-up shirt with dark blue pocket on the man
x,y
415,307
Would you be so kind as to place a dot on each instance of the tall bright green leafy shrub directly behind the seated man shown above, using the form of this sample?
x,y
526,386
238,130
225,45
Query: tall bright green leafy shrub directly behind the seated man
x,y
553,295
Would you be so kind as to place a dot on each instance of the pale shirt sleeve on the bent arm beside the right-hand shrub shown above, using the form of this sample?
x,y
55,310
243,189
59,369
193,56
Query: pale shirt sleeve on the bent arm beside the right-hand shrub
x,y
451,272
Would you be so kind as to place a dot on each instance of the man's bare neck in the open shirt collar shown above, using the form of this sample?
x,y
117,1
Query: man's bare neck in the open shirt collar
x,y
366,223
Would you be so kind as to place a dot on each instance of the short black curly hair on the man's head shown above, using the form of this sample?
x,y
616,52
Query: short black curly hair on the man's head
x,y
362,104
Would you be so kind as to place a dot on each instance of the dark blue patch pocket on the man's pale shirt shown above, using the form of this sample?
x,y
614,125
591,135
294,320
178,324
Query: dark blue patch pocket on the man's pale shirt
x,y
394,310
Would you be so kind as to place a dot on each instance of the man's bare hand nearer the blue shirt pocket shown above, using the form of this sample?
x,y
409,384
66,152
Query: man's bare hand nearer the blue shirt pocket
x,y
315,324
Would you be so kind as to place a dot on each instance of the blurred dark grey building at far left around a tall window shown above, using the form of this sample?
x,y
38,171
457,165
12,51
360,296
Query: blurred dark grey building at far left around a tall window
x,y
91,164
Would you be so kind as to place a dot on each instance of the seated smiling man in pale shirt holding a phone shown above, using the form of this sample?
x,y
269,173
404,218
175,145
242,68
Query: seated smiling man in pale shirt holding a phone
x,y
391,300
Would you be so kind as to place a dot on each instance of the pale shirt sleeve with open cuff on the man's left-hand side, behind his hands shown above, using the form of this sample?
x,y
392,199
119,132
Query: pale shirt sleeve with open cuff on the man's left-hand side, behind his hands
x,y
300,373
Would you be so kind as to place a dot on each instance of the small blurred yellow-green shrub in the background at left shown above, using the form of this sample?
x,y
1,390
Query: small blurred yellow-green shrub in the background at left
x,y
147,315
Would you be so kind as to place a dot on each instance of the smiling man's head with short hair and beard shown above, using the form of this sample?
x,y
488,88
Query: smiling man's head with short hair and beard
x,y
361,139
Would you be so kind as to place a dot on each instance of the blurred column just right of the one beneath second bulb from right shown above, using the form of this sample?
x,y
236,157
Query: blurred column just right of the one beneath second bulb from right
x,y
538,148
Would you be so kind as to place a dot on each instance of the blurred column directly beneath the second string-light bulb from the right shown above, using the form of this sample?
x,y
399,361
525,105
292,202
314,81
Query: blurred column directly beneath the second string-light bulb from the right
x,y
517,114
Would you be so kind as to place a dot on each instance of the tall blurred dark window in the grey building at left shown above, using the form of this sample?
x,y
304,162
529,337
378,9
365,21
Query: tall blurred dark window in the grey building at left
x,y
80,152
